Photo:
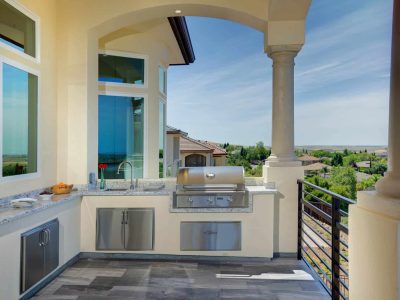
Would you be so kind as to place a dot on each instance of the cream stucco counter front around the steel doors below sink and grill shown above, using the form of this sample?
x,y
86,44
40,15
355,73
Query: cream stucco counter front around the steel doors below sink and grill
x,y
167,225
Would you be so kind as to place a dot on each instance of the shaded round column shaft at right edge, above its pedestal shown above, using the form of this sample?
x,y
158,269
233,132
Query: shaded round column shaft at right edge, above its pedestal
x,y
390,184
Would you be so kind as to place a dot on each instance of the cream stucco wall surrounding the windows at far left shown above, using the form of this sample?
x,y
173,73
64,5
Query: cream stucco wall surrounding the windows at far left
x,y
47,164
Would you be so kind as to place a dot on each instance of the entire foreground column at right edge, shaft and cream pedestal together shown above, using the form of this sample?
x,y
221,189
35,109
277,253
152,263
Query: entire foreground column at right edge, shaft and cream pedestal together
x,y
374,222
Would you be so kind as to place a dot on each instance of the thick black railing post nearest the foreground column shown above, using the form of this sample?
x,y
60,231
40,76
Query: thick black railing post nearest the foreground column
x,y
335,248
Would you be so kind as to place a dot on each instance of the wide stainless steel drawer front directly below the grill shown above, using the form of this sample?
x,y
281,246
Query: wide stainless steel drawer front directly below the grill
x,y
210,236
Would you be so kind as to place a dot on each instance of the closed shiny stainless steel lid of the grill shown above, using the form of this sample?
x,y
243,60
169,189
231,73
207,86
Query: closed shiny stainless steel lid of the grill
x,y
211,175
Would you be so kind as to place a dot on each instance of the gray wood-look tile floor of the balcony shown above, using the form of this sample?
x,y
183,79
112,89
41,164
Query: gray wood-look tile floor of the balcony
x,y
99,279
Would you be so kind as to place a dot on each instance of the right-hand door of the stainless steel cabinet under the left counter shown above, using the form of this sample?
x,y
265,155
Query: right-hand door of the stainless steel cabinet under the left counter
x,y
51,247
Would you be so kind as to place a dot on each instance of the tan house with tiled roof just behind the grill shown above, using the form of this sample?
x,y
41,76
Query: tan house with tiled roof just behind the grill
x,y
184,151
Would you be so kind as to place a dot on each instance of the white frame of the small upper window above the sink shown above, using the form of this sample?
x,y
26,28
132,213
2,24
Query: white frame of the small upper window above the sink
x,y
128,55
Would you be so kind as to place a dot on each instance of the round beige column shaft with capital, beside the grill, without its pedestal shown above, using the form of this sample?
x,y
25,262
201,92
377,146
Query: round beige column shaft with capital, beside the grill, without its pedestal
x,y
282,104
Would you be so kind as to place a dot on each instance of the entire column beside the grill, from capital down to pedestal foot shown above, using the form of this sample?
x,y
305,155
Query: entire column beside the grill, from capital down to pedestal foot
x,y
282,168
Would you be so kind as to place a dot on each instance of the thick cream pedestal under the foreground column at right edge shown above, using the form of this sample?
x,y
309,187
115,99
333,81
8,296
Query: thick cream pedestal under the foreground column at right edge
x,y
374,247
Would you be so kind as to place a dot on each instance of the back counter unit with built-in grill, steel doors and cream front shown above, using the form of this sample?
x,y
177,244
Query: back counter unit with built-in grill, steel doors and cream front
x,y
210,211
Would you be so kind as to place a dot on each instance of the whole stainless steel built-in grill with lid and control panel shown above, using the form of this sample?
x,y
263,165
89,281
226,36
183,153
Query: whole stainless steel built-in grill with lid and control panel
x,y
202,187
